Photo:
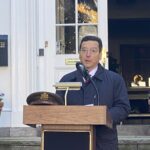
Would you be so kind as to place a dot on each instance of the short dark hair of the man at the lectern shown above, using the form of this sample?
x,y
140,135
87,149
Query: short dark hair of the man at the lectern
x,y
92,38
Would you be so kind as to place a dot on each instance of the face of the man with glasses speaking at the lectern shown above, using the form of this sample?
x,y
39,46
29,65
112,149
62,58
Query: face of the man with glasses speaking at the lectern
x,y
89,54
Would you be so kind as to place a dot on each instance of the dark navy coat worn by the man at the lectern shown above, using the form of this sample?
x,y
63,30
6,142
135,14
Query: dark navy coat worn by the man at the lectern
x,y
112,92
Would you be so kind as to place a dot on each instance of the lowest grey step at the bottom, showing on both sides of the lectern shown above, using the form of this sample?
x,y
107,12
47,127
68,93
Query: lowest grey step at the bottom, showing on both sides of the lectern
x,y
33,143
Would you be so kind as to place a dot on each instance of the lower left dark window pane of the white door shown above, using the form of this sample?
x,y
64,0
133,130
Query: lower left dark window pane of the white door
x,y
65,36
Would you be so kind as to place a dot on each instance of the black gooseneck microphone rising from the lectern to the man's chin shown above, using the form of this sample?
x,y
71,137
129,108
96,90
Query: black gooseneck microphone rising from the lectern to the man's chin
x,y
85,74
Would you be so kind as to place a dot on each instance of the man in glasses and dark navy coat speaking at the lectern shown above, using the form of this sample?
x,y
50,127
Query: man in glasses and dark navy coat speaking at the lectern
x,y
111,88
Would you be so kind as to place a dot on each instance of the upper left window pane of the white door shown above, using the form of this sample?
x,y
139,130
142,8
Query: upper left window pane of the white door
x,y
65,11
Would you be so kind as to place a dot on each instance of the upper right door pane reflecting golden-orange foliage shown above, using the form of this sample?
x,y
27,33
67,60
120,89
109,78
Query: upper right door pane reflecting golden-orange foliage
x,y
87,11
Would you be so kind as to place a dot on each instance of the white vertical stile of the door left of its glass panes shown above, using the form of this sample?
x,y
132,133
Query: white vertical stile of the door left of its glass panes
x,y
50,51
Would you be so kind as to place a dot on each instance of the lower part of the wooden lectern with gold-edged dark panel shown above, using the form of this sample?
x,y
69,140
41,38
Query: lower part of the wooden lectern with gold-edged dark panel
x,y
67,138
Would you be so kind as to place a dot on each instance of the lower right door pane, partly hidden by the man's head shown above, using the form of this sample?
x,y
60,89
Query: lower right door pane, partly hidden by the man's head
x,y
87,30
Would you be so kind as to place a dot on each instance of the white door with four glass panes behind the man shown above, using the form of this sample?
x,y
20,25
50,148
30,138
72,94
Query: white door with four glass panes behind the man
x,y
66,23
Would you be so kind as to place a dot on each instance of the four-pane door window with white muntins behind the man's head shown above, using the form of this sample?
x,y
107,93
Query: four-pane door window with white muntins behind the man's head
x,y
74,19
